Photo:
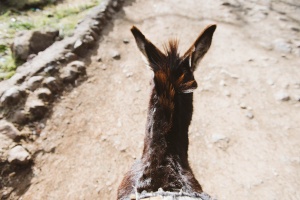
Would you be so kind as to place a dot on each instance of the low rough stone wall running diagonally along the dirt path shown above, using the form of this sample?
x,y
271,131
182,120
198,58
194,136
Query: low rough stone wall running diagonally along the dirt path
x,y
27,96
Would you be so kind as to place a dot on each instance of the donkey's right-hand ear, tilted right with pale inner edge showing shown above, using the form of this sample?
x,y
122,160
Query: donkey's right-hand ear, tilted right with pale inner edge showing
x,y
200,46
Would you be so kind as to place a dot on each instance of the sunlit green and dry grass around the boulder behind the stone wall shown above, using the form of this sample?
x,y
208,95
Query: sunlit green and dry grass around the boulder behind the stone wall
x,y
63,17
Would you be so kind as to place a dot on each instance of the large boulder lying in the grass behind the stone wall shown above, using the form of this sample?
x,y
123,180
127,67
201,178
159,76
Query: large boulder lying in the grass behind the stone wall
x,y
32,42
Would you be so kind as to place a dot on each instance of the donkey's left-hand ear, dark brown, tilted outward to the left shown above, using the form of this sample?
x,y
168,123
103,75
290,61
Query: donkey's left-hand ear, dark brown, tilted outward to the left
x,y
152,54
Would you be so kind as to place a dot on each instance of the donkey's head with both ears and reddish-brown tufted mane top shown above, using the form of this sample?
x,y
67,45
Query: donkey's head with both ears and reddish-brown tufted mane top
x,y
173,72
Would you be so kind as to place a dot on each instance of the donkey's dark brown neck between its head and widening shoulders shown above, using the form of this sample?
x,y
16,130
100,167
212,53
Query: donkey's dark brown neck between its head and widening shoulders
x,y
167,125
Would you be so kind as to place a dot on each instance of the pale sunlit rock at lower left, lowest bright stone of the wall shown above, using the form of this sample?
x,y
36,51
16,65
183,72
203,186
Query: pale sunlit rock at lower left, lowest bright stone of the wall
x,y
18,155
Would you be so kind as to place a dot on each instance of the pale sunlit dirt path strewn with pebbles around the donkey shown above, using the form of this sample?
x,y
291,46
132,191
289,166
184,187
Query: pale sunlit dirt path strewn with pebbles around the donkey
x,y
96,131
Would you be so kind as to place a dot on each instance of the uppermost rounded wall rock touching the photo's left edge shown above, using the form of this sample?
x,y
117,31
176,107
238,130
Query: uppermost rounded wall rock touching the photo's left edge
x,y
12,96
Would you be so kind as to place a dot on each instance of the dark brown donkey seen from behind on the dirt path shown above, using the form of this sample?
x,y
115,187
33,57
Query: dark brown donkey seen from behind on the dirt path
x,y
164,164
